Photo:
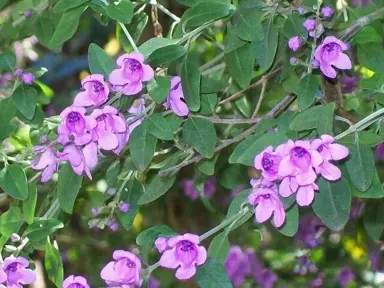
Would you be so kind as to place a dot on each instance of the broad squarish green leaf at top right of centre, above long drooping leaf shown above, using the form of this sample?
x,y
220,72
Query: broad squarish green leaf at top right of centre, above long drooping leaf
x,y
248,27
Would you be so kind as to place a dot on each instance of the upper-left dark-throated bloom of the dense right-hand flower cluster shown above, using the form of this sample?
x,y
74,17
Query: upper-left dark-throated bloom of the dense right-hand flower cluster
x,y
268,162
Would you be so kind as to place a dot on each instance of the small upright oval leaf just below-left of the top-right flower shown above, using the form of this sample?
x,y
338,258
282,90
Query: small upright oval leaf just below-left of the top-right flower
x,y
308,88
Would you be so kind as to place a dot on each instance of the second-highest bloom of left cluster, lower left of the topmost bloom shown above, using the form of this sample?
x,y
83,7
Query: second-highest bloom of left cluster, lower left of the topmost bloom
x,y
95,92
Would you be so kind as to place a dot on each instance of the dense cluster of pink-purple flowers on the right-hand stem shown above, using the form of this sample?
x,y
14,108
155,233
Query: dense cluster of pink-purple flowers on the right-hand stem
x,y
296,165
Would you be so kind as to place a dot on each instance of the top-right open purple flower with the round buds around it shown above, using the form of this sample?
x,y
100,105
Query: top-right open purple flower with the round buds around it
x,y
329,53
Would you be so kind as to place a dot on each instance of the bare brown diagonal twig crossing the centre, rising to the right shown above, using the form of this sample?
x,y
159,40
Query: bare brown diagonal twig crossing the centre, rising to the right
x,y
275,112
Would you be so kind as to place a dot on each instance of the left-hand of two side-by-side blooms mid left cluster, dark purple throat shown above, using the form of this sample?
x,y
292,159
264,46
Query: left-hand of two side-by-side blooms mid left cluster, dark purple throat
x,y
75,126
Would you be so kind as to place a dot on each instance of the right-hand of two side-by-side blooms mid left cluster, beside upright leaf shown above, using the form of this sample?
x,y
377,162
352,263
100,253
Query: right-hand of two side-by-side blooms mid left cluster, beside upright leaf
x,y
109,122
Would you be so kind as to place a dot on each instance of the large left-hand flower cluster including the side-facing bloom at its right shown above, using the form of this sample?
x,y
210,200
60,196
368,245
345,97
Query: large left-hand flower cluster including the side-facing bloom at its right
x,y
90,125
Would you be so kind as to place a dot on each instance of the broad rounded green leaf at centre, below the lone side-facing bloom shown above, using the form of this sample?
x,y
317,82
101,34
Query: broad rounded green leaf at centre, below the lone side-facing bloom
x,y
201,135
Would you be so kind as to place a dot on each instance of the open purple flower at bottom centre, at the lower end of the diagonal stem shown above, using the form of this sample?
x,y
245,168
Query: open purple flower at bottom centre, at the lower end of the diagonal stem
x,y
184,254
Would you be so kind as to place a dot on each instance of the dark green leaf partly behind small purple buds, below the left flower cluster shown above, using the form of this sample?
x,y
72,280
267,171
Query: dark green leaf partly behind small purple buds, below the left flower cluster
x,y
130,194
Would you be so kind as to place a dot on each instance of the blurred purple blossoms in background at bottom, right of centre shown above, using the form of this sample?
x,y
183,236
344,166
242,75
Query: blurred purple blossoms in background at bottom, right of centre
x,y
243,264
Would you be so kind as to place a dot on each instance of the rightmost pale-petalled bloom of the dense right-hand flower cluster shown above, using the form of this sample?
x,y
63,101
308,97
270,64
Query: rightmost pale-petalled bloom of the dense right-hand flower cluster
x,y
329,151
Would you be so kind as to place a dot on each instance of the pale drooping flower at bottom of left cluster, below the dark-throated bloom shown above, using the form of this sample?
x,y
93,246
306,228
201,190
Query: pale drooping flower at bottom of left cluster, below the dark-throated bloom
x,y
80,160
